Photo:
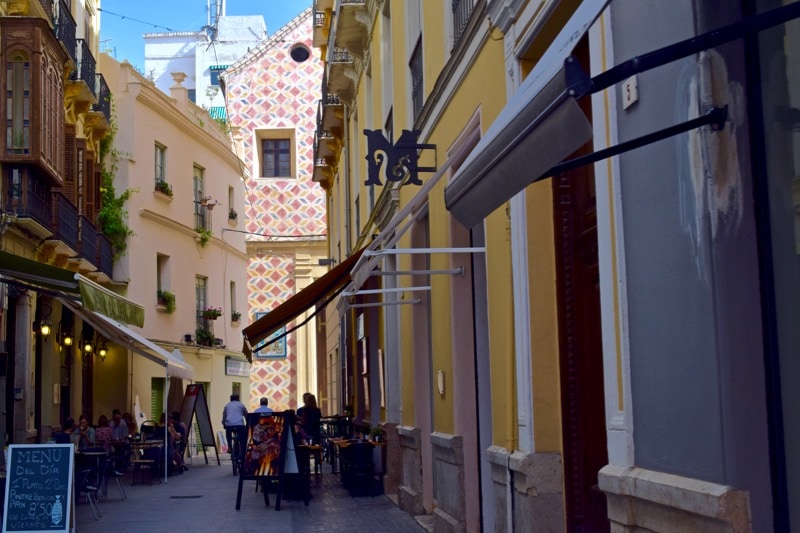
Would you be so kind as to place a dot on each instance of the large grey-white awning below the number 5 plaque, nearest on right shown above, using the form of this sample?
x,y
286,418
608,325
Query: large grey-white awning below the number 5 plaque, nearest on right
x,y
539,127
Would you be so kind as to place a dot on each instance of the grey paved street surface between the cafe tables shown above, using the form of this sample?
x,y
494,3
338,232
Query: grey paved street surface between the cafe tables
x,y
204,499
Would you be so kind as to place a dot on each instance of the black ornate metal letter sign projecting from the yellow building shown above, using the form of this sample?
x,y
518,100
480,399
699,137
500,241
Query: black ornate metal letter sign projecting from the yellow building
x,y
394,161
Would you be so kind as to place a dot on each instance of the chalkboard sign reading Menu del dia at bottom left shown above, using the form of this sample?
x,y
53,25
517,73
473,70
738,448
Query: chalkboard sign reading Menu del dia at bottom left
x,y
38,487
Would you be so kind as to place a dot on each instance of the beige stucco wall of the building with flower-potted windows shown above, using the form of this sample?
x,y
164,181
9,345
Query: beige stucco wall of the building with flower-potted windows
x,y
165,226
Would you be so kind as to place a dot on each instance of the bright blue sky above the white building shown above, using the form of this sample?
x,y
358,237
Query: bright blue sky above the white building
x,y
123,22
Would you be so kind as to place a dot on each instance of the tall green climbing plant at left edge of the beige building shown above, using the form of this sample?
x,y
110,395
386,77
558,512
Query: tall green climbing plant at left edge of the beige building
x,y
113,217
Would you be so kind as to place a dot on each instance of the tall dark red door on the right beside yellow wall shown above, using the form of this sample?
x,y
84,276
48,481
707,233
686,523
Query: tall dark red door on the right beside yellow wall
x,y
580,343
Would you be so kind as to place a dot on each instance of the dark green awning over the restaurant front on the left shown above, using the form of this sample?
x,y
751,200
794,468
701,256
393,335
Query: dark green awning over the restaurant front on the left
x,y
35,275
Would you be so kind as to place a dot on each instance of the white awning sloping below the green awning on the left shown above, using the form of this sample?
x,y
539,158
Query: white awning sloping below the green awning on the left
x,y
121,334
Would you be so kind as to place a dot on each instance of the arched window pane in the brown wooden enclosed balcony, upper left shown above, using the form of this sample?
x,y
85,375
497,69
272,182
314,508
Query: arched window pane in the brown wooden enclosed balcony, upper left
x,y
18,103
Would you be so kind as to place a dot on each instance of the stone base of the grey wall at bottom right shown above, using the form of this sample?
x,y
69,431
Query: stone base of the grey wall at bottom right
x,y
640,499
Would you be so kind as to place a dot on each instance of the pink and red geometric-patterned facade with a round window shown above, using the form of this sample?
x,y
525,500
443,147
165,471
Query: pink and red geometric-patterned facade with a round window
x,y
268,90
